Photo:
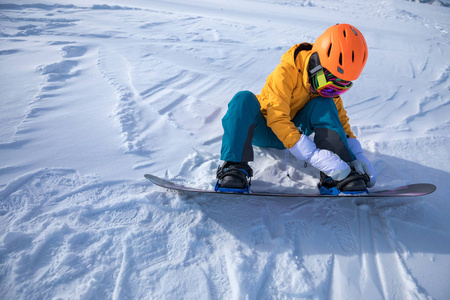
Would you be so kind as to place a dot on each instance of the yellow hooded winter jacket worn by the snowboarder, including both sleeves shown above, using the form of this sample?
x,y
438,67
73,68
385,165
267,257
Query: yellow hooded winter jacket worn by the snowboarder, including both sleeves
x,y
287,90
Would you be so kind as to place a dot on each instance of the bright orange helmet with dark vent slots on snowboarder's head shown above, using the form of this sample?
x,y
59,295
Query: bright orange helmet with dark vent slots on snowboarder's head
x,y
342,50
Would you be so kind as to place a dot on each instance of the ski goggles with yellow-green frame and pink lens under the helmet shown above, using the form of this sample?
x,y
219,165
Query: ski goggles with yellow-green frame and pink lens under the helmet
x,y
327,85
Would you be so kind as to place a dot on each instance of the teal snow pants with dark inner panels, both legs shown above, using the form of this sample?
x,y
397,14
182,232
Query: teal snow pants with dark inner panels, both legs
x,y
244,125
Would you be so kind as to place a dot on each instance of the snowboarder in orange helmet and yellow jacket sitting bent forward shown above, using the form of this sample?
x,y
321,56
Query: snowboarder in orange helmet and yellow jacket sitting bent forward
x,y
300,97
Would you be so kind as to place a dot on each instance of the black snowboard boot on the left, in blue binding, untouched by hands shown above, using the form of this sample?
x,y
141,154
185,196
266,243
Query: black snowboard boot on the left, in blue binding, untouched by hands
x,y
234,177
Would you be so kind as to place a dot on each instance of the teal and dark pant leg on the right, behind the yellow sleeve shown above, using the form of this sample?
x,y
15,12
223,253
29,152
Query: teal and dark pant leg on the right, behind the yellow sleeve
x,y
320,116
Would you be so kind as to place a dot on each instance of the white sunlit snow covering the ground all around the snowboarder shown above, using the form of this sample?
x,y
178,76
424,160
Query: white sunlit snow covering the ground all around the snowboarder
x,y
96,93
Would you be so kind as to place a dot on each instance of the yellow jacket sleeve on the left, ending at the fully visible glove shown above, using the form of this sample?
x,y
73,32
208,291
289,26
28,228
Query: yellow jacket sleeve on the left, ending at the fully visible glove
x,y
280,86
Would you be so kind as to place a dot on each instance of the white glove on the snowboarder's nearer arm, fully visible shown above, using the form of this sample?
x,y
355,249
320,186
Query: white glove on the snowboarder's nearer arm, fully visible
x,y
324,160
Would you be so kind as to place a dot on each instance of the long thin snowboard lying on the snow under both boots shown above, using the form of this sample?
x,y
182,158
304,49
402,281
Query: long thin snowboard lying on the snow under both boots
x,y
411,190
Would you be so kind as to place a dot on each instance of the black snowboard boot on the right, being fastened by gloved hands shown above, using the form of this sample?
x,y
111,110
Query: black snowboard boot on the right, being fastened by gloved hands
x,y
355,183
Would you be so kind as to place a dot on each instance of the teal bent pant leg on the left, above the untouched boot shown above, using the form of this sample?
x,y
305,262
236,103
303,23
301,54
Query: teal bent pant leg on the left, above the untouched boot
x,y
238,125
